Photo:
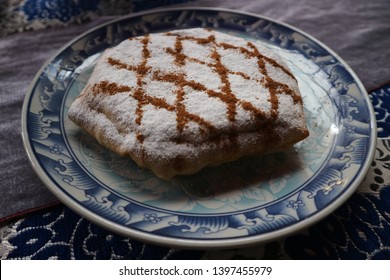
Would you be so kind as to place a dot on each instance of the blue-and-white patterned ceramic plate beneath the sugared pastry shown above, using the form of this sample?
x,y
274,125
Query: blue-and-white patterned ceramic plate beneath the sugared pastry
x,y
237,204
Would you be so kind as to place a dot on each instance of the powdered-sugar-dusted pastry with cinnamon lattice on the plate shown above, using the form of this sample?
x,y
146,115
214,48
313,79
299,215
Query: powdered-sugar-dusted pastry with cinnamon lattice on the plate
x,y
179,101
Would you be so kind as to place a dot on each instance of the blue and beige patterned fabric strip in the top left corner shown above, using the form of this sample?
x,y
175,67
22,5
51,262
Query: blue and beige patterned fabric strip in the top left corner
x,y
25,15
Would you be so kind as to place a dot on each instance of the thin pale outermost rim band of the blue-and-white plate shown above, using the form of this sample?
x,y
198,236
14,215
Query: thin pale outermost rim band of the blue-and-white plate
x,y
189,242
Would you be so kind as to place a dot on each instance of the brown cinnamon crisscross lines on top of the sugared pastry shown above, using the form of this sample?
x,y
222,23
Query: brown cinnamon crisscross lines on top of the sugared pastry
x,y
225,94
